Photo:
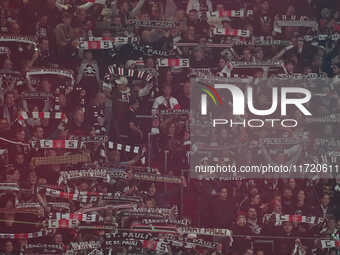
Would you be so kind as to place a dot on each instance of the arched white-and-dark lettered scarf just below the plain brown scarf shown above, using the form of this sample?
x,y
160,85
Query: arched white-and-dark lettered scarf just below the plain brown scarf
x,y
88,173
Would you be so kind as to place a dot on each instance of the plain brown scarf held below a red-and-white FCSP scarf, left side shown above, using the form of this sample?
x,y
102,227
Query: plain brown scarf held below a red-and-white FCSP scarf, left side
x,y
58,160
